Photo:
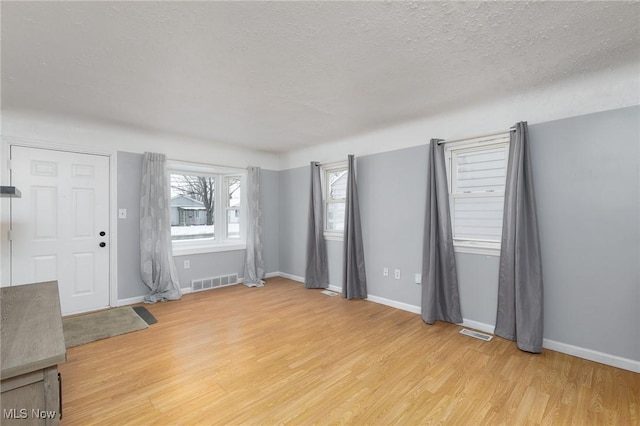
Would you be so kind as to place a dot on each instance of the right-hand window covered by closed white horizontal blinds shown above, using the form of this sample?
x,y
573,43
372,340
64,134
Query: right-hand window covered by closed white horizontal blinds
x,y
476,173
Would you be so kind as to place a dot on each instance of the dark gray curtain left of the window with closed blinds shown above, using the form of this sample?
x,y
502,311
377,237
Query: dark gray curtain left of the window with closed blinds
x,y
440,297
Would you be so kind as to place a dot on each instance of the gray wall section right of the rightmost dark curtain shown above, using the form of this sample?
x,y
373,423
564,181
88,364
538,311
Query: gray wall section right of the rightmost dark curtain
x,y
587,184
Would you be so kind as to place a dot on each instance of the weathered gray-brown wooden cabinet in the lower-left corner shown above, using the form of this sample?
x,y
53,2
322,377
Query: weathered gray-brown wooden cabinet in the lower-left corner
x,y
31,347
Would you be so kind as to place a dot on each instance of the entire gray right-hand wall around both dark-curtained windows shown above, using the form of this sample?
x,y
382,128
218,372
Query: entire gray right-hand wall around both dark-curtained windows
x,y
586,175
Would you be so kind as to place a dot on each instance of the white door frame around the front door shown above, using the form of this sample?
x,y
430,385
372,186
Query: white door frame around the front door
x,y
5,212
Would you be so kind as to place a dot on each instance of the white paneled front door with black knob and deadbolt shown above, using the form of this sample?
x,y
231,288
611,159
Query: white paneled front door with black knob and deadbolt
x,y
60,226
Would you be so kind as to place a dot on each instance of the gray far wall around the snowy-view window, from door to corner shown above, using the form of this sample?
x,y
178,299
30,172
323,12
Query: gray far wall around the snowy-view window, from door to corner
x,y
201,265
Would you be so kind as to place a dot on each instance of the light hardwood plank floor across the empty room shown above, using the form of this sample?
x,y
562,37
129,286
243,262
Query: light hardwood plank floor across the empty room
x,y
283,354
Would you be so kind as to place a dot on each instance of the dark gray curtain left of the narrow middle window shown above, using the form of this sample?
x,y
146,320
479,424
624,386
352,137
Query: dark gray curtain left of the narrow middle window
x,y
317,268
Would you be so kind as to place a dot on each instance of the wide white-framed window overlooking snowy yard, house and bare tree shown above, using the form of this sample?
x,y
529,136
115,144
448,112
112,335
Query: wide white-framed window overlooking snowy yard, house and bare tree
x,y
206,208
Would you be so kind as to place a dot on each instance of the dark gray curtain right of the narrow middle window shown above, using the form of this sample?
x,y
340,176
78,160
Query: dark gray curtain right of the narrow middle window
x,y
354,278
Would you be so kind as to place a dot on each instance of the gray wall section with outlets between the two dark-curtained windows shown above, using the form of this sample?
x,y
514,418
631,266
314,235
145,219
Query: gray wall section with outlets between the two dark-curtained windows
x,y
392,192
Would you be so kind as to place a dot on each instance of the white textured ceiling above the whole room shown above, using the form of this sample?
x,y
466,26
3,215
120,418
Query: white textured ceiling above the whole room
x,y
276,76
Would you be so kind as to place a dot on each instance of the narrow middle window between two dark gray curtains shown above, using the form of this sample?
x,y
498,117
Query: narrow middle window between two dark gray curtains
x,y
334,184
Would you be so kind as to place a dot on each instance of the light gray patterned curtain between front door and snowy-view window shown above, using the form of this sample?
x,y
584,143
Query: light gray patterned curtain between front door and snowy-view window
x,y
157,269
